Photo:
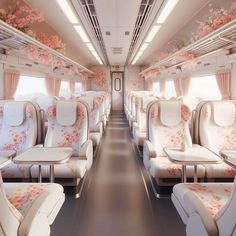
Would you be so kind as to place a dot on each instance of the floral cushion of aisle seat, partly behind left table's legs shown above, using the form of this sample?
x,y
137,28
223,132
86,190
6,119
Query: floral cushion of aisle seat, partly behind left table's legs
x,y
74,168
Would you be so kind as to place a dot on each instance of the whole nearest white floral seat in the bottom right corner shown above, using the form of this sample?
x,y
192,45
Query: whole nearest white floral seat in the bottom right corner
x,y
207,209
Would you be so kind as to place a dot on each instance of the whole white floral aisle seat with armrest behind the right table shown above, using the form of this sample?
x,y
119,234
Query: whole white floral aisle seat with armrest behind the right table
x,y
167,127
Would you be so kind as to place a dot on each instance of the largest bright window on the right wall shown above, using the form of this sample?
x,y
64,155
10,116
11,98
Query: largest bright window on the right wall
x,y
204,87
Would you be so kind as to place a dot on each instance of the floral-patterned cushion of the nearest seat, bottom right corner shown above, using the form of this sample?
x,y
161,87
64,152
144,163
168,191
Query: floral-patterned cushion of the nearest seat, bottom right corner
x,y
213,195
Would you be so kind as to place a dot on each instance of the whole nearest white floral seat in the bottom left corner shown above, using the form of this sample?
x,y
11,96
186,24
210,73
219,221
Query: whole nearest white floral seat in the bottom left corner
x,y
29,208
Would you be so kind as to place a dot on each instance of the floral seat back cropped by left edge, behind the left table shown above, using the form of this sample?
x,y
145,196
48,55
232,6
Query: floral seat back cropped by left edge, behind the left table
x,y
19,126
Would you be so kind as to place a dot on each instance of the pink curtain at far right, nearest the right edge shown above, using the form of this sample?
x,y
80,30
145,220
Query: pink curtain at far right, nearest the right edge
x,y
223,79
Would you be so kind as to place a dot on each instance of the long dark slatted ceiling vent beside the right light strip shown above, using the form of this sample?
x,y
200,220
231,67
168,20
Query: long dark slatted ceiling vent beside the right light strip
x,y
144,12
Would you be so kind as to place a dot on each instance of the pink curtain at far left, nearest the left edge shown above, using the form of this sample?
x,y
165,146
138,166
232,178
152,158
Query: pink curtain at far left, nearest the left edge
x,y
11,80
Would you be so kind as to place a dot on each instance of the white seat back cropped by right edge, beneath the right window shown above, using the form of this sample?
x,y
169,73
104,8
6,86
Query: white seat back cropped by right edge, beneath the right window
x,y
217,125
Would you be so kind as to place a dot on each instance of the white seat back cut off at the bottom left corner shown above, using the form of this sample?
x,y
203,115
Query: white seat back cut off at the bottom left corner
x,y
10,217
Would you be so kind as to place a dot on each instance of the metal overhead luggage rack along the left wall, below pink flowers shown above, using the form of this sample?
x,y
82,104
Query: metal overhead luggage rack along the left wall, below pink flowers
x,y
13,39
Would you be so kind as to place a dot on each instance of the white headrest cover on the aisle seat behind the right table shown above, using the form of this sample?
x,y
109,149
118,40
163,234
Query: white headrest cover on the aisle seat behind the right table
x,y
170,112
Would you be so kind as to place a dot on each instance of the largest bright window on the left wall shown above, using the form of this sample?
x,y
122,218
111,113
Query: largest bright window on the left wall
x,y
30,88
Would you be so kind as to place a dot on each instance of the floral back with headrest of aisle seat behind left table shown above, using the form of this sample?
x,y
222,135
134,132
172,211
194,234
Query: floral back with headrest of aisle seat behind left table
x,y
68,125
